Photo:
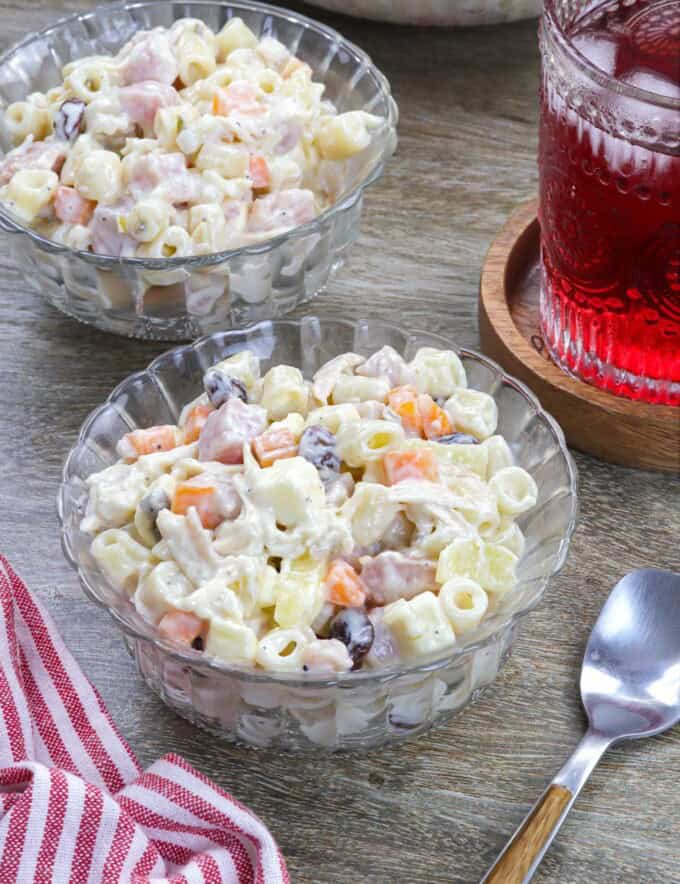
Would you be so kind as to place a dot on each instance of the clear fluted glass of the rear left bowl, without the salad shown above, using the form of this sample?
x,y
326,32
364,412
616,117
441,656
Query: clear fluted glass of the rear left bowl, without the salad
x,y
183,298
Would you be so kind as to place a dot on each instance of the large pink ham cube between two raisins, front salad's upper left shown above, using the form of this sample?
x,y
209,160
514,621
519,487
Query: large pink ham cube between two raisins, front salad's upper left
x,y
227,429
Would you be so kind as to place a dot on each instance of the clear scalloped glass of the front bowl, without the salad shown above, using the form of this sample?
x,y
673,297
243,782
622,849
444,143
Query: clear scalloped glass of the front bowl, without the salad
x,y
353,710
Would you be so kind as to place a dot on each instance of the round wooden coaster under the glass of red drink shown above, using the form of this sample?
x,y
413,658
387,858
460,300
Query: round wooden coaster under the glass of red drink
x,y
618,430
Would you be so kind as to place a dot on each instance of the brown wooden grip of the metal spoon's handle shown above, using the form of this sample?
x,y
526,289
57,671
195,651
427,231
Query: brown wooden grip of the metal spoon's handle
x,y
532,837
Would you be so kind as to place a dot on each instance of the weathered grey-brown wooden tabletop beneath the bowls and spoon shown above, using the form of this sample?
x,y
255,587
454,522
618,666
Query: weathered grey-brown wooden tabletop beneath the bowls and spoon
x,y
440,808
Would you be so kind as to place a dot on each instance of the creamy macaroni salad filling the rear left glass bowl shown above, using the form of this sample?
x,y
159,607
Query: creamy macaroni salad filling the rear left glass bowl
x,y
185,143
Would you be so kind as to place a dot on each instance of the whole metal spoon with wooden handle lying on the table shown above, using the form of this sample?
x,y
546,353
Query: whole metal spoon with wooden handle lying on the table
x,y
630,688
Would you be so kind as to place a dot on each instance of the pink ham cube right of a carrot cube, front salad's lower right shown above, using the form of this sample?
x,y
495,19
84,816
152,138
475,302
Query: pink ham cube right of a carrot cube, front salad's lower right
x,y
394,575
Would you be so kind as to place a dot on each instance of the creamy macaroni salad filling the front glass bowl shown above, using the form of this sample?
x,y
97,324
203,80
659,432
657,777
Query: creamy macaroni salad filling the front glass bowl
x,y
362,518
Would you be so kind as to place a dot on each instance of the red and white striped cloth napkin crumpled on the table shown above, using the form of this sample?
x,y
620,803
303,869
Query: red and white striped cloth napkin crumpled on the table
x,y
75,807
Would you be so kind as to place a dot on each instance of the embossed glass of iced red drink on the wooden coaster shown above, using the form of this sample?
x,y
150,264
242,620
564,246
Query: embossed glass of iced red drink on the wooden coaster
x,y
609,164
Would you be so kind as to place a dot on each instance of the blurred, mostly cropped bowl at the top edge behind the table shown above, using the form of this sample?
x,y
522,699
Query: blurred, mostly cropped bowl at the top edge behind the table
x,y
436,12
